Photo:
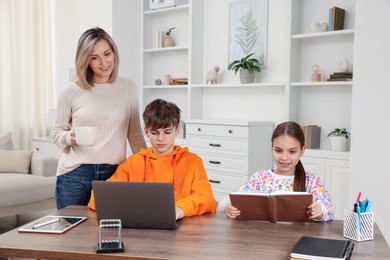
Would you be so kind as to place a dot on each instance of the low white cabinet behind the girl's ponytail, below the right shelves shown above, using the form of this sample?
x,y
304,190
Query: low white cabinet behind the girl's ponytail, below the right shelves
x,y
334,170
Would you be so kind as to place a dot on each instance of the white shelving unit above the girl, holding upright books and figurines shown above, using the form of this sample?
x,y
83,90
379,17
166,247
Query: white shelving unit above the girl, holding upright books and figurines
x,y
327,104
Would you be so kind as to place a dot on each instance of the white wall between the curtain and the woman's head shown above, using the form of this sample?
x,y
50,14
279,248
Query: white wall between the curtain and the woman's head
x,y
70,19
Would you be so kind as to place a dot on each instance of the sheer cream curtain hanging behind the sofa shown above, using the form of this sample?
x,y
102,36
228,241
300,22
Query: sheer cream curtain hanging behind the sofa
x,y
25,69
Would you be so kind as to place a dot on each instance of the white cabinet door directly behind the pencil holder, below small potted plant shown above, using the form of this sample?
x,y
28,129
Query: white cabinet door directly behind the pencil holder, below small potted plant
x,y
337,184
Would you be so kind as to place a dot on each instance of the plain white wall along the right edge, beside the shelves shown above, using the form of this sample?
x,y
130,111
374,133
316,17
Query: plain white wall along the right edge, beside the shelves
x,y
370,109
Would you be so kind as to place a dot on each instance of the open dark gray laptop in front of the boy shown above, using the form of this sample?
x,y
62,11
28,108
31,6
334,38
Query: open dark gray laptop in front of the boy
x,y
136,204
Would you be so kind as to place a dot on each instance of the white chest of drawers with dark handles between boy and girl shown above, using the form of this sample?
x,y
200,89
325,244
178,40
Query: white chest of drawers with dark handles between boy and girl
x,y
231,150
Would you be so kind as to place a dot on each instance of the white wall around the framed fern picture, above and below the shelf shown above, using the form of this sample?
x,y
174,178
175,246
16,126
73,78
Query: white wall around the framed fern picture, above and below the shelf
x,y
250,101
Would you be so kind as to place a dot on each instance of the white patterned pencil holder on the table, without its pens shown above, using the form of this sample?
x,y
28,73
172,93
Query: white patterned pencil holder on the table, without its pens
x,y
362,231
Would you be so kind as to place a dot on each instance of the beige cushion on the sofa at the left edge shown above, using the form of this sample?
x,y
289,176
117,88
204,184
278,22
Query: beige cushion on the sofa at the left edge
x,y
15,161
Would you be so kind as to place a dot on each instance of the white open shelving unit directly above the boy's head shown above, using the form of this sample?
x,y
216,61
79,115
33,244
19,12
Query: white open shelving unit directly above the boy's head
x,y
183,60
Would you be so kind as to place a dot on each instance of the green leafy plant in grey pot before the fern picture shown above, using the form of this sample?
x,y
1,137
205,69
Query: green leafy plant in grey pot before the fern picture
x,y
247,67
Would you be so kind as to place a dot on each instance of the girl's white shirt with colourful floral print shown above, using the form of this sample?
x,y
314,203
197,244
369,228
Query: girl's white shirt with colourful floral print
x,y
268,182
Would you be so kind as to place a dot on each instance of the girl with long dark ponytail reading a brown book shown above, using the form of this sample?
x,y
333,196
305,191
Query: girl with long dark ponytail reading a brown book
x,y
288,145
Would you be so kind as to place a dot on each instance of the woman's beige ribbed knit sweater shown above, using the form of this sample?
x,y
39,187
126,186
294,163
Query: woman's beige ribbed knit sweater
x,y
112,108
